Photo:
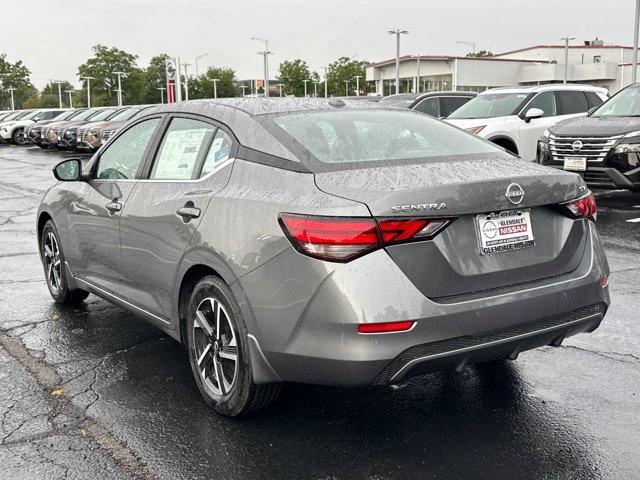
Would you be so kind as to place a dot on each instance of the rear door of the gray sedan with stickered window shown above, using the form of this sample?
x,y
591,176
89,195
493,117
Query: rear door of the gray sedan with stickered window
x,y
165,208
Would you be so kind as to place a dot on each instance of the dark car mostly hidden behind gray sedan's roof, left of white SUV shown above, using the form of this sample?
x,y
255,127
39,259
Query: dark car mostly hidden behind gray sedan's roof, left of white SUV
x,y
436,104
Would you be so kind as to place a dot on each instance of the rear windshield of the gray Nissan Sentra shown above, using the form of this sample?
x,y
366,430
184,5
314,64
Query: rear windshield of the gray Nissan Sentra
x,y
347,136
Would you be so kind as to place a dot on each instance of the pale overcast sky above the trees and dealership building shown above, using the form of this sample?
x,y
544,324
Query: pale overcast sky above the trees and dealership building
x,y
53,37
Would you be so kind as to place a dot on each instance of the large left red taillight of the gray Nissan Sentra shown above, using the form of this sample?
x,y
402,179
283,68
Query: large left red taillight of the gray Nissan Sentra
x,y
340,239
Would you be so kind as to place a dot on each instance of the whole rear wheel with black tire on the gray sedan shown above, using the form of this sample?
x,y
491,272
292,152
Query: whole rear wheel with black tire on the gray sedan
x,y
226,385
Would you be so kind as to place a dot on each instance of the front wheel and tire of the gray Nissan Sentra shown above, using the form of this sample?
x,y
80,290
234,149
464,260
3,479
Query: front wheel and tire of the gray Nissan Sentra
x,y
55,269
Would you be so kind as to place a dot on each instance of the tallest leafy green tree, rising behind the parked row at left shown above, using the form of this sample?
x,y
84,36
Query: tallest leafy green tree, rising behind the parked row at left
x,y
102,66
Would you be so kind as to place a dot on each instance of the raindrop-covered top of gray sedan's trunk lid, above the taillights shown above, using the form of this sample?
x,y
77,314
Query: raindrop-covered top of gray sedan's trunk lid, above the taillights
x,y
465,184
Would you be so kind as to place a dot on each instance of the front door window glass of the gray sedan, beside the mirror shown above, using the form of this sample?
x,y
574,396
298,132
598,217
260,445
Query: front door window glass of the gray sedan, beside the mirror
x,y
123,156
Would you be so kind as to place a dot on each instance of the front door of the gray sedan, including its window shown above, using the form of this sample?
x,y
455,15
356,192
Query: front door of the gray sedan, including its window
x,y
95,213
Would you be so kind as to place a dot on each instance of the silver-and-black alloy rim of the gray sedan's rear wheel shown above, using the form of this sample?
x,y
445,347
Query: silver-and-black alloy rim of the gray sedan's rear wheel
x,y
215,346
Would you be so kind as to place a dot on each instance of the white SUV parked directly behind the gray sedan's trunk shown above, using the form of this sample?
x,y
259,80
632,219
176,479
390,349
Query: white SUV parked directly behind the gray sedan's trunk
x,y
515,117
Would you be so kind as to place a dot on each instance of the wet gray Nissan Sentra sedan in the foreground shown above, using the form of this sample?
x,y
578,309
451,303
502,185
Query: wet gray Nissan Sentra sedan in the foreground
x,y
323,241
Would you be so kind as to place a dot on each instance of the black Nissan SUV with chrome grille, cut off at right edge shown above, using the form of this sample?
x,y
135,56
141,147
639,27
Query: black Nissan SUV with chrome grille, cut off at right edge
x,y
603,147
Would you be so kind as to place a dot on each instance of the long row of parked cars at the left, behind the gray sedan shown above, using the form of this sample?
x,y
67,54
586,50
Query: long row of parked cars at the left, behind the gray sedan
x,y
83,129
